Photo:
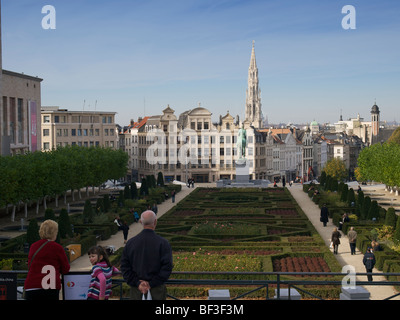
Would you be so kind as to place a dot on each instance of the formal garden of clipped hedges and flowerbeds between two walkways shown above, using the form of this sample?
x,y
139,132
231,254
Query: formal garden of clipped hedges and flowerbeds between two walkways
x,y
234,231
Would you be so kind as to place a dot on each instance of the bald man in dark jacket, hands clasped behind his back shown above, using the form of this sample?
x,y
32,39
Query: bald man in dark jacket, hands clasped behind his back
x,y
146,261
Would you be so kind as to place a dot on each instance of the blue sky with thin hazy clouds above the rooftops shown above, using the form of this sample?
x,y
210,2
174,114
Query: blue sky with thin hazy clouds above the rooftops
x,y
137,57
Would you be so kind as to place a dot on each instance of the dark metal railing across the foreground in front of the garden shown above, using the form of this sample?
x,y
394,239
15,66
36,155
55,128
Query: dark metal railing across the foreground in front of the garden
x,y
277,280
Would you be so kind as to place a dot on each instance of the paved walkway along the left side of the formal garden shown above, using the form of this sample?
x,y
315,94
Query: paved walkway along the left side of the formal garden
x,y
117,240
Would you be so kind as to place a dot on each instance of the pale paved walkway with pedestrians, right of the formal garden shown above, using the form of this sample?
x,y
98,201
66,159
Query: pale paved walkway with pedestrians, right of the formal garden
x,y
344,256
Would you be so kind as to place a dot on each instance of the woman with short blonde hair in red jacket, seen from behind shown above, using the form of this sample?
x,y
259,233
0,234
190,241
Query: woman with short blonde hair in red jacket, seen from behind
x,y
47,261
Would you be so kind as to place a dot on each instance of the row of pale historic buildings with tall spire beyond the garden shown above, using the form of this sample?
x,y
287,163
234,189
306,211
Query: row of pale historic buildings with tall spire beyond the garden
x,y
190,145
